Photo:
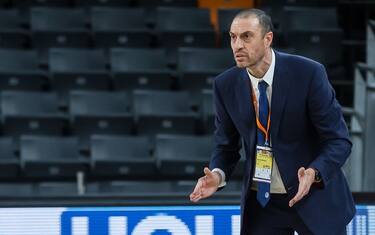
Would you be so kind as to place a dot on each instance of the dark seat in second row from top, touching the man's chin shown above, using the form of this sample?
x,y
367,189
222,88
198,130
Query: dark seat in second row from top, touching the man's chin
x,y
198,66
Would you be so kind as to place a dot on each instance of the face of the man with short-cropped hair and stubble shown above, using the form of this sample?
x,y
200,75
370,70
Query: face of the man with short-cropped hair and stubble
x,y
248,42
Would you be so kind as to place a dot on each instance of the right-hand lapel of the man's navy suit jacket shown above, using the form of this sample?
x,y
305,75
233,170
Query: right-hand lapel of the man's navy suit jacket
x,y
280,89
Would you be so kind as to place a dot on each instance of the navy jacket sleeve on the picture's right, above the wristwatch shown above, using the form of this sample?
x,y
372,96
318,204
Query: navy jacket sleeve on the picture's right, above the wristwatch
x,y
327,118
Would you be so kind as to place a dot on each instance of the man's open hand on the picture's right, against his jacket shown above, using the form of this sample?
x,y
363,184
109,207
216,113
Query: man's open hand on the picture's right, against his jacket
x,y
306,178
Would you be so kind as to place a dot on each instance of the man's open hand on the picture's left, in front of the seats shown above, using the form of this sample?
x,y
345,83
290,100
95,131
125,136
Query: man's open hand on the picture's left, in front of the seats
x,y
206,185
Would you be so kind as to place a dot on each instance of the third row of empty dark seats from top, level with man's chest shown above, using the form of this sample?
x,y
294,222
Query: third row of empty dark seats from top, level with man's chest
x,y
142,112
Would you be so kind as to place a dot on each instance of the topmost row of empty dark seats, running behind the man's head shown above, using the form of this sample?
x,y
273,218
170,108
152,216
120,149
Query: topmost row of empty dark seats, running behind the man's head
x,y
129,27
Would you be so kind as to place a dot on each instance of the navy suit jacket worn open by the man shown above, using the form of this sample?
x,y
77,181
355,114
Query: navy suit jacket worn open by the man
x,y
307,130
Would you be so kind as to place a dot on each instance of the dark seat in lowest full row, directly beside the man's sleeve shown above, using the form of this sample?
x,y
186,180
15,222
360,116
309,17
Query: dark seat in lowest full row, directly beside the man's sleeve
x,y
182,156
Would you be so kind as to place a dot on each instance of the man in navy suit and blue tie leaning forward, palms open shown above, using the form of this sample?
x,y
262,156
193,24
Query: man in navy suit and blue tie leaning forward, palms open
x,y
284,109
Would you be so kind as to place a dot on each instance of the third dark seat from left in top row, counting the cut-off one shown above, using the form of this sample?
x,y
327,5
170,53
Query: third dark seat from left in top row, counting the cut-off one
x,y
119,27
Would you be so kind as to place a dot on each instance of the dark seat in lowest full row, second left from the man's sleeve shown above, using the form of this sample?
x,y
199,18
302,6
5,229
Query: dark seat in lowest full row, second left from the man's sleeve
x,y
125,156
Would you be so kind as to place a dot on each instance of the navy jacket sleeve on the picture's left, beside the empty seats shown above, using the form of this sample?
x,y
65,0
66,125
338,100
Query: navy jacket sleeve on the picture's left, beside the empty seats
x,y
227,142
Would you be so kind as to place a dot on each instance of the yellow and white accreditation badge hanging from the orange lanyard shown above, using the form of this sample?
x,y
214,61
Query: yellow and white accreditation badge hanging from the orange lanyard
x,y
263,164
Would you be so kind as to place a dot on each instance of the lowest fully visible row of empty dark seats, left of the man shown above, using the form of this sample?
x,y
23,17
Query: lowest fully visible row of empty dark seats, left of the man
x,y
178,156
